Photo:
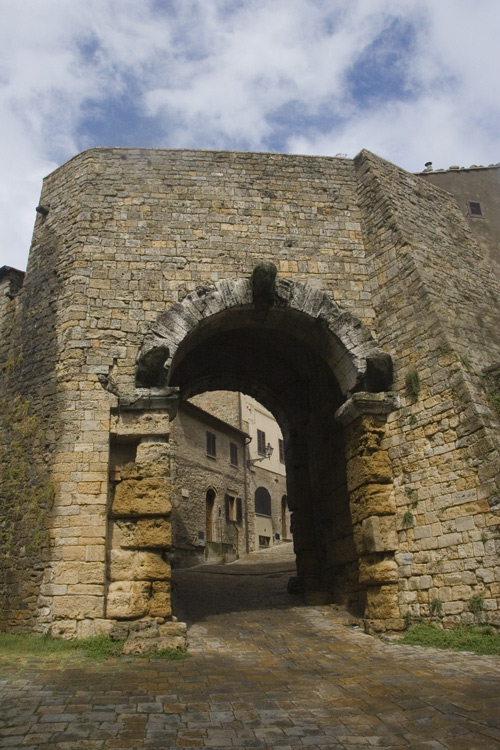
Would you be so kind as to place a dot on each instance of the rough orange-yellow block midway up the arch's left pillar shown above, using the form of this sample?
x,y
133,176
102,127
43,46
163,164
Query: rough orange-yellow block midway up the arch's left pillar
x,y
142,497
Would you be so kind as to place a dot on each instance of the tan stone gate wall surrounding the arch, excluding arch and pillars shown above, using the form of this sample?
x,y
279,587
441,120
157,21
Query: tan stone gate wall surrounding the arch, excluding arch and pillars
x,y
129,232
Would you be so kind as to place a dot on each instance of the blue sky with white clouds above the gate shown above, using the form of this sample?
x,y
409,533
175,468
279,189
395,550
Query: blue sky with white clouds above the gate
x,y
411,80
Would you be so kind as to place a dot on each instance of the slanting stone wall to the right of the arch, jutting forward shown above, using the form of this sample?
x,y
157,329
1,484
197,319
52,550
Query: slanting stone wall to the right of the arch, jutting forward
x,y
435,300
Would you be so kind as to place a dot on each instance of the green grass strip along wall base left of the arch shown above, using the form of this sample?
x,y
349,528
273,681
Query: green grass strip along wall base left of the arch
x,y
98,648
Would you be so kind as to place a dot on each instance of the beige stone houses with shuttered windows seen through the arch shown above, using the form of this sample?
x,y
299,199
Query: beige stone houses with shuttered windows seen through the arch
x,y
220,470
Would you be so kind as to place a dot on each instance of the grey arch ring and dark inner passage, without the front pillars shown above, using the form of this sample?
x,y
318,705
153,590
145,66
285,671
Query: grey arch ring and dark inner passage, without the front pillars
x,y
302,362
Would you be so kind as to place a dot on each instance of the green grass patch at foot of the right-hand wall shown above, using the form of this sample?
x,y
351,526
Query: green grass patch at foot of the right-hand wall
x,y
481,639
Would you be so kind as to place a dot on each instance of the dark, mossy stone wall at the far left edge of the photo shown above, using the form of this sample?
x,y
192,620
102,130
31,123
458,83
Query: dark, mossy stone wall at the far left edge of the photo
x,y
26,491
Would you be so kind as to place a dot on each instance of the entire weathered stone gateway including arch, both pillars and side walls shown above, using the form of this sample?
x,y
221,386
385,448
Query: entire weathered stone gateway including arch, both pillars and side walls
x,y
395,495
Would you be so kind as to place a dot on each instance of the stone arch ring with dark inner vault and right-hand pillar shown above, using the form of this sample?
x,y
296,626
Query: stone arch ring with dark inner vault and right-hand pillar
x,y
326,380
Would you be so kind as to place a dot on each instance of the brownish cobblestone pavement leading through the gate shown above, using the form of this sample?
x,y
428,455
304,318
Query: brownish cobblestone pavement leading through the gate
x,y
260,676
